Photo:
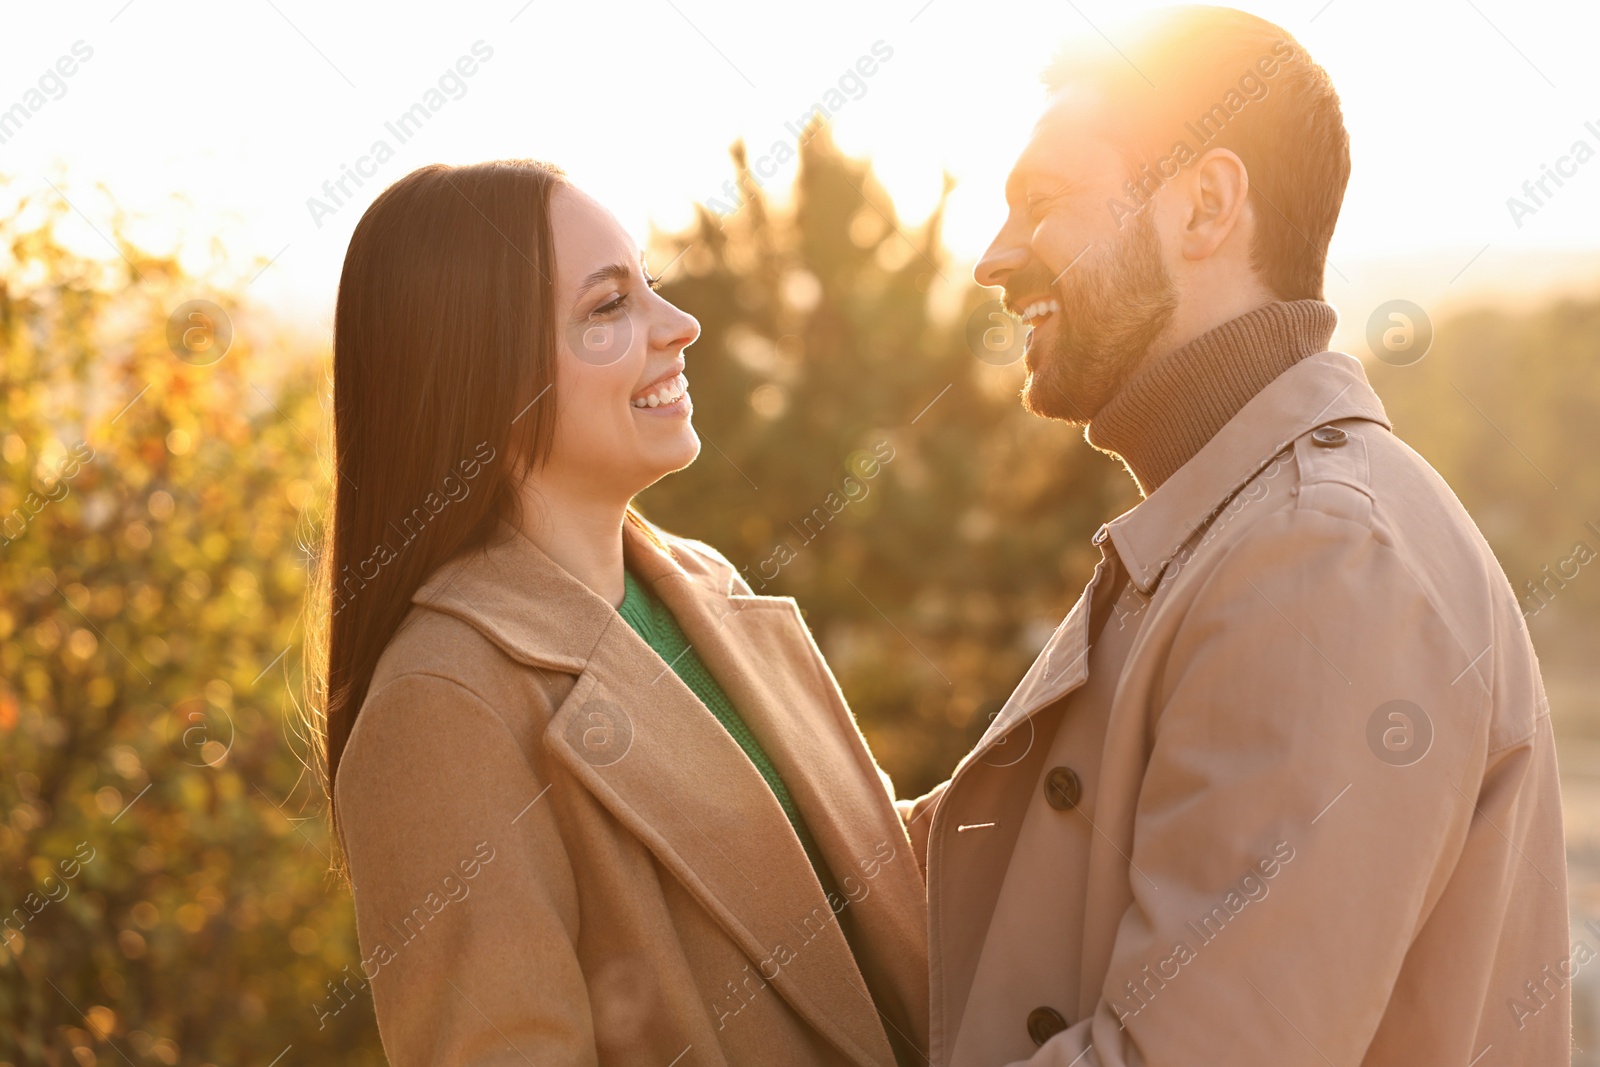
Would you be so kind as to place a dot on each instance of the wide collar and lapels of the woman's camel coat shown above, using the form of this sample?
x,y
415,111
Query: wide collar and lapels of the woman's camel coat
x,y
650,751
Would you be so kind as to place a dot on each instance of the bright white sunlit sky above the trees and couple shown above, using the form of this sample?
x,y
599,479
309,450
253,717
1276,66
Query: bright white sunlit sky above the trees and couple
x,y
223,119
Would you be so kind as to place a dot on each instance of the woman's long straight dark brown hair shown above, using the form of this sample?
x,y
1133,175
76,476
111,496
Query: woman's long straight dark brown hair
x,y
444,375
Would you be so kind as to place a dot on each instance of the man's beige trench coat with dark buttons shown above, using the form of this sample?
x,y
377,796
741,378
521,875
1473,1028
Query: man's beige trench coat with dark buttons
x,y
1318,817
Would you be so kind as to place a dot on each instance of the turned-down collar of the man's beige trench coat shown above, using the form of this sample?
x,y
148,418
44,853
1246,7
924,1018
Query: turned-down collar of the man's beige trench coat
x,y
1319,390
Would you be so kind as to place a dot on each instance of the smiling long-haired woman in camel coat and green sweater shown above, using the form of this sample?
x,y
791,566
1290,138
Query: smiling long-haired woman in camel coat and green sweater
x,y
599,804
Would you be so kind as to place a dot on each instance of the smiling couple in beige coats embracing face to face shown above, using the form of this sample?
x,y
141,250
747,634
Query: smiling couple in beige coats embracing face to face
x,y
1281,789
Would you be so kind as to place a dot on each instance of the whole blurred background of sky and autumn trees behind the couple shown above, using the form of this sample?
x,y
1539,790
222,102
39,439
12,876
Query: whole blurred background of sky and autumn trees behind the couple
x,y
166,863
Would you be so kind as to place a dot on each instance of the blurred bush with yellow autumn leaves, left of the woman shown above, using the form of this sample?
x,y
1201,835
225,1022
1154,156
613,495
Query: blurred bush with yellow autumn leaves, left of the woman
x,y
166,879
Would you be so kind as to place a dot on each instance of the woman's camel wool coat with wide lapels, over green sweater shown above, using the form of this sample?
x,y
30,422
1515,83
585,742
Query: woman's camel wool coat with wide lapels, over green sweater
x,y
559,855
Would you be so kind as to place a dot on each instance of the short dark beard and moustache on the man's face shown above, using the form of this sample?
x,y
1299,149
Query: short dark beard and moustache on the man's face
x,y
1114,306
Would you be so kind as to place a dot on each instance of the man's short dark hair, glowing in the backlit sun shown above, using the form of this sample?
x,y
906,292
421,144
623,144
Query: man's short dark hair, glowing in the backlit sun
x,y
1215,78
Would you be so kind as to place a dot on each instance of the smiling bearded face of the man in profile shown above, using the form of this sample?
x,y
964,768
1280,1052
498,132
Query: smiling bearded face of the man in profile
x,y
1090,282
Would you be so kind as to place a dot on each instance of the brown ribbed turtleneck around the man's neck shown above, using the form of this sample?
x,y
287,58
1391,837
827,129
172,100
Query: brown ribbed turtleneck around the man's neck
x,y
1170,409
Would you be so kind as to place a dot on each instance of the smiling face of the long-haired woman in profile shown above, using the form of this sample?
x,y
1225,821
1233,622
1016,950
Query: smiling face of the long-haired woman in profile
x,y
623,417
